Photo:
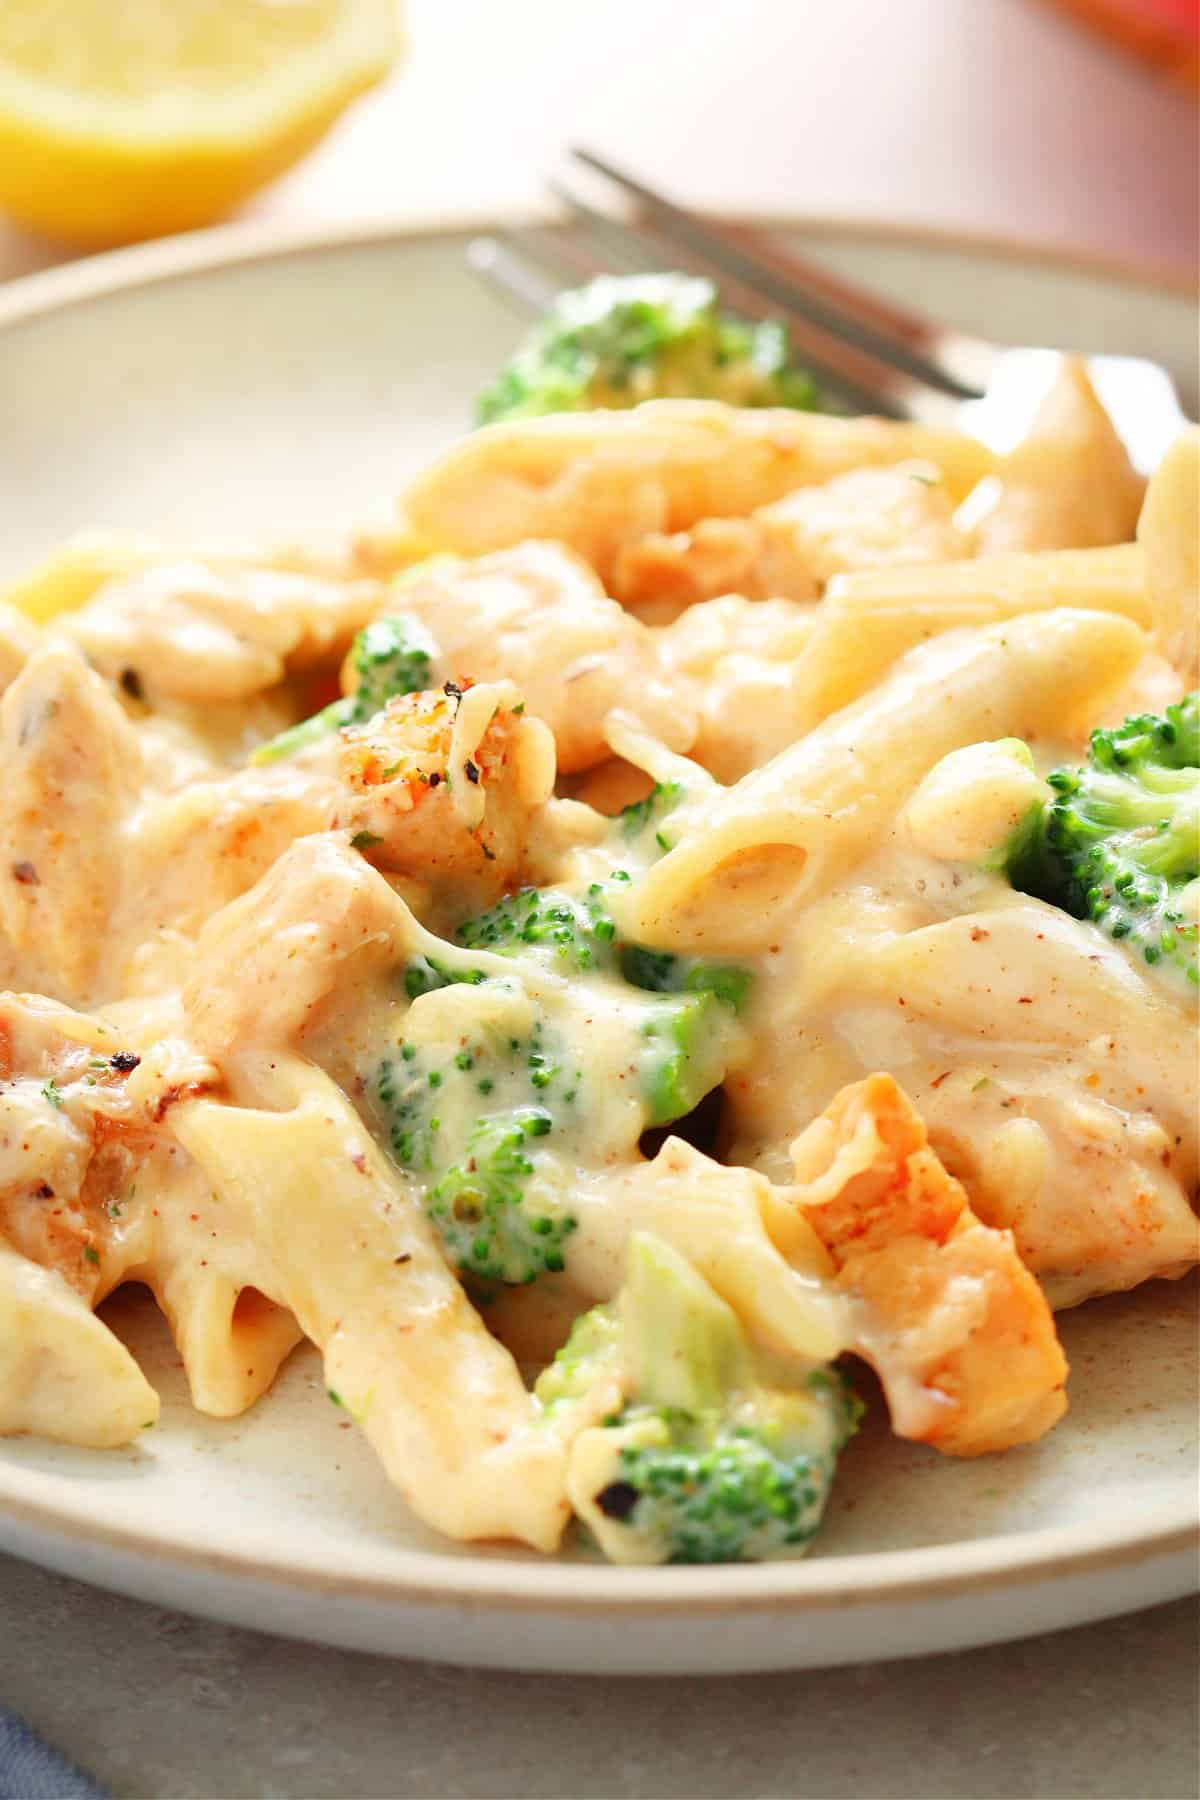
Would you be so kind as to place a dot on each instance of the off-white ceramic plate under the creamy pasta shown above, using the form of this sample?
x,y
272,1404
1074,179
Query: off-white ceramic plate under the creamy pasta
x,y
222,386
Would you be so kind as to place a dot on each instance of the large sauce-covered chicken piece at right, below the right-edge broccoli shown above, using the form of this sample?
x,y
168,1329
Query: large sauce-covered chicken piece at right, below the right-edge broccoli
x,y
1055,1075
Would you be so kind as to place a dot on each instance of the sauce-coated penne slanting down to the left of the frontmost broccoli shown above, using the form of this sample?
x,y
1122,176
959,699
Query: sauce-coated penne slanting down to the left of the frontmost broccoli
x,y
352,1255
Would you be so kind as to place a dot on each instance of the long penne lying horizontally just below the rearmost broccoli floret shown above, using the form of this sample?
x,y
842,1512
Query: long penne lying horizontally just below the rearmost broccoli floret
x,y
602,481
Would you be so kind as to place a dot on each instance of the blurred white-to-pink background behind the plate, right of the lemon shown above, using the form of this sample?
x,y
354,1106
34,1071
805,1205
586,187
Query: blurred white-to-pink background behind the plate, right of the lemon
x,y
998,118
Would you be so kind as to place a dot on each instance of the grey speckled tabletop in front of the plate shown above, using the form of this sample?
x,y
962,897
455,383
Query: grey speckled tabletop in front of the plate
x,y
161,1707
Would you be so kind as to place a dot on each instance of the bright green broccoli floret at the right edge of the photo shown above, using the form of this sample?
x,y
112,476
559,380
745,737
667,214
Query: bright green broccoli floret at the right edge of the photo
x,y
1120,838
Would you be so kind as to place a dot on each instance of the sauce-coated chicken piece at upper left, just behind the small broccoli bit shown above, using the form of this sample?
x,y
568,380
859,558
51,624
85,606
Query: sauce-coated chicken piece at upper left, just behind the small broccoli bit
x,y
195,633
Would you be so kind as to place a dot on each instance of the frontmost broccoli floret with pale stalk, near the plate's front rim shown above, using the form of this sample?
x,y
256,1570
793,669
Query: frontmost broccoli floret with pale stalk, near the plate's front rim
x,y
719,1453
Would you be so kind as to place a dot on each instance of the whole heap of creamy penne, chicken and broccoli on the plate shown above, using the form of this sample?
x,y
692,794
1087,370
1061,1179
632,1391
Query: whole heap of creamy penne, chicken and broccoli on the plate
x,y
609,944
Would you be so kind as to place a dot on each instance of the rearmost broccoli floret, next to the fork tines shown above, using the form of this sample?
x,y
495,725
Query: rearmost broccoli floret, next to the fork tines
x,y
623,339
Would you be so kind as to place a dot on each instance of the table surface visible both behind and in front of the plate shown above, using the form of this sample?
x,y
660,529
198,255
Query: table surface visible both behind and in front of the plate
x,y
996,118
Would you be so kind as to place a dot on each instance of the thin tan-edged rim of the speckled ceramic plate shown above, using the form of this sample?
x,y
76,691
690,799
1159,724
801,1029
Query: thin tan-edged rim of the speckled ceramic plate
x,y
1167,1534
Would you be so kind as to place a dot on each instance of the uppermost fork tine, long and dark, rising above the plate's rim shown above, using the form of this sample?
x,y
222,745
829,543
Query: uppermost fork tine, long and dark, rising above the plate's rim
x,y
775,285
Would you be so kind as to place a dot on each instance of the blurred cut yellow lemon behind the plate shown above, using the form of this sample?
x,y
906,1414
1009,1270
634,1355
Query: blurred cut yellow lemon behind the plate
x,y
127,120
